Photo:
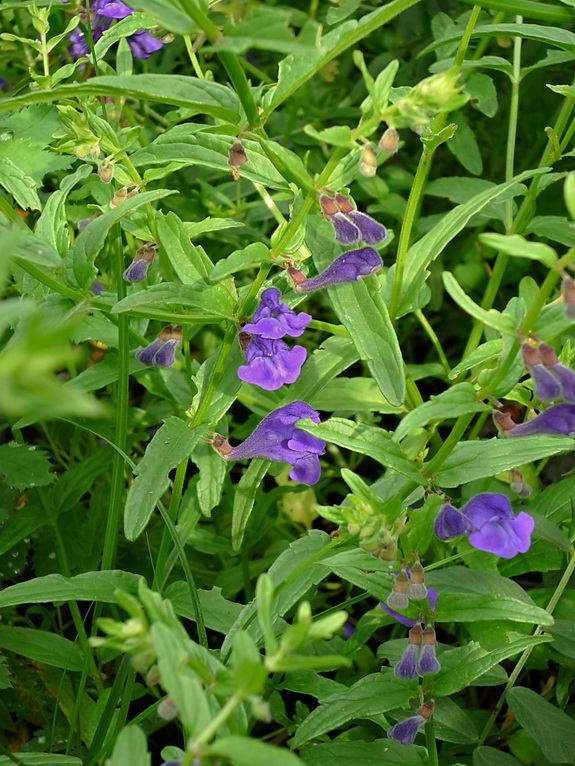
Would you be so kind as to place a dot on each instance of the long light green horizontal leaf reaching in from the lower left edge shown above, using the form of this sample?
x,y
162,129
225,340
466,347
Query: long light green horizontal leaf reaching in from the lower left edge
x,y
90,586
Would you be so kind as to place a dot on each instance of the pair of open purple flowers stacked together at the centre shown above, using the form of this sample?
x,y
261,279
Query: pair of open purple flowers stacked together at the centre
x,y
270,361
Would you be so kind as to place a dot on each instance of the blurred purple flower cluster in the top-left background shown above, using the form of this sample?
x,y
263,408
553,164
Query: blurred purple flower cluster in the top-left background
x,y
142,43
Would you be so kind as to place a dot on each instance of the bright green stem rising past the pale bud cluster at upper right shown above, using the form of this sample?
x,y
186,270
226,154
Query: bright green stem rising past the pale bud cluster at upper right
x,y
421,174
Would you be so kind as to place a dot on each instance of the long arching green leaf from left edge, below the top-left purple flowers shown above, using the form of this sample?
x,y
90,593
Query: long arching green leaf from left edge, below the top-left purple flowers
x,y
202,96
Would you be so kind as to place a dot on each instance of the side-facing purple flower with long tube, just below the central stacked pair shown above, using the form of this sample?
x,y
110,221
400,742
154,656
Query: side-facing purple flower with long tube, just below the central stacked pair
x,y
277,438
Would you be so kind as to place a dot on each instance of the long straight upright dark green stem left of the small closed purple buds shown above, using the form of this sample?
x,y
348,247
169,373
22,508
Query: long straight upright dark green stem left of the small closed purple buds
x,y
120,438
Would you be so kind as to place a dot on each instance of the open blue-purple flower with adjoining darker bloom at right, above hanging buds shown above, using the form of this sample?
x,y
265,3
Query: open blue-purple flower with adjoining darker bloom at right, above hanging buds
x,y
490,523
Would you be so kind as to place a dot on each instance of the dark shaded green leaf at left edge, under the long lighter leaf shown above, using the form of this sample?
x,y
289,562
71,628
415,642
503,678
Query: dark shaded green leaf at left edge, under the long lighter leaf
x,y
39,645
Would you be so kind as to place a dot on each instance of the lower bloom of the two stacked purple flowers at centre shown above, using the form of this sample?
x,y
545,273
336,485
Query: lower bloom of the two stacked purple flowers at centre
x,y
271,363
